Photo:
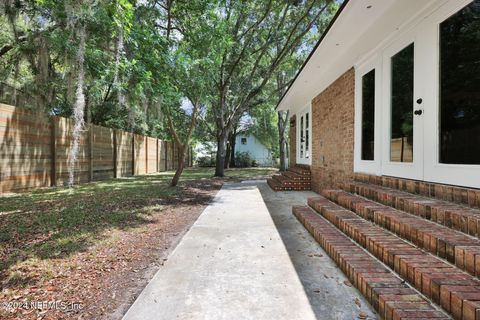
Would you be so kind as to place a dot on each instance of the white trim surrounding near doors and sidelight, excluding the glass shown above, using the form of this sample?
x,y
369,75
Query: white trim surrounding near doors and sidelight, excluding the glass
x,y
423,31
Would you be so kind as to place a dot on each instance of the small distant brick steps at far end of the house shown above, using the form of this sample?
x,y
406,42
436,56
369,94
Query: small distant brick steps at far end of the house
x,y
297,178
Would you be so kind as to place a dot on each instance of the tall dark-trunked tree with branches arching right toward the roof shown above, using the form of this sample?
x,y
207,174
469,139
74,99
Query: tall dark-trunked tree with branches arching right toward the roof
x,y
258,38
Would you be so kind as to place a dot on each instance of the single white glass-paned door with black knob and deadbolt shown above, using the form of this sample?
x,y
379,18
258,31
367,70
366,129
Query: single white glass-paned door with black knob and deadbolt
x,y
402,112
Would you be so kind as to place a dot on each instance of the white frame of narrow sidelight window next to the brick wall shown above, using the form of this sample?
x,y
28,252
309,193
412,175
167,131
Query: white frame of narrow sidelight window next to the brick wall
x,y
368,166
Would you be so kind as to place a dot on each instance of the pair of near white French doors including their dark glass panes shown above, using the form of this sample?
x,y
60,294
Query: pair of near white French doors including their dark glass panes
x,y
431,98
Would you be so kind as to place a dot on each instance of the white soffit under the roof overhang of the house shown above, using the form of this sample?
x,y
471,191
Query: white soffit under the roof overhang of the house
x,y
362,26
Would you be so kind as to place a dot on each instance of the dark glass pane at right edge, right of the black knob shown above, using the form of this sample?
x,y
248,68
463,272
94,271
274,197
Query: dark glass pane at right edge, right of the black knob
x,y
460,87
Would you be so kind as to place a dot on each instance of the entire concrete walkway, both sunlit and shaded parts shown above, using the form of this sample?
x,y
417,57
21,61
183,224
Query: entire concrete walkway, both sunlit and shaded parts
x,y
247,257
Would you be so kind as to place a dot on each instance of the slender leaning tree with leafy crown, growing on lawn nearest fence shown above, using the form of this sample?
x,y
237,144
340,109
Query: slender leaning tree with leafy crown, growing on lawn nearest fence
x,y
188,63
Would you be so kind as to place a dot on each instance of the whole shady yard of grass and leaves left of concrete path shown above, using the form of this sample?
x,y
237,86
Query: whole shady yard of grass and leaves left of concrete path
x,y
94,248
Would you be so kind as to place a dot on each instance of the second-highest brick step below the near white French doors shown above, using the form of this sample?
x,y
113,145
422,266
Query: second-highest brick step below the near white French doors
x,y
452,215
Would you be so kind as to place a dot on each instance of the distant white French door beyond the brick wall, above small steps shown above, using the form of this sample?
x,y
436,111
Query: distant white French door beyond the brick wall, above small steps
x,y
304,136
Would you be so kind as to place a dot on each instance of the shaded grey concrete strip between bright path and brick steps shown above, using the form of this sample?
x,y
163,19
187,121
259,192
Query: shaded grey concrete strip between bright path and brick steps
x,y
329,291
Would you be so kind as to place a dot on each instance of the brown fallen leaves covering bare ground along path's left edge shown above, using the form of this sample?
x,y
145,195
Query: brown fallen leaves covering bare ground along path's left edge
x,y
106,272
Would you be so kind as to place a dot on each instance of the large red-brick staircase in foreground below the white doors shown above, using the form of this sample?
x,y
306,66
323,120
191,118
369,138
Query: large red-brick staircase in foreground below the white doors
x,y
412,256
